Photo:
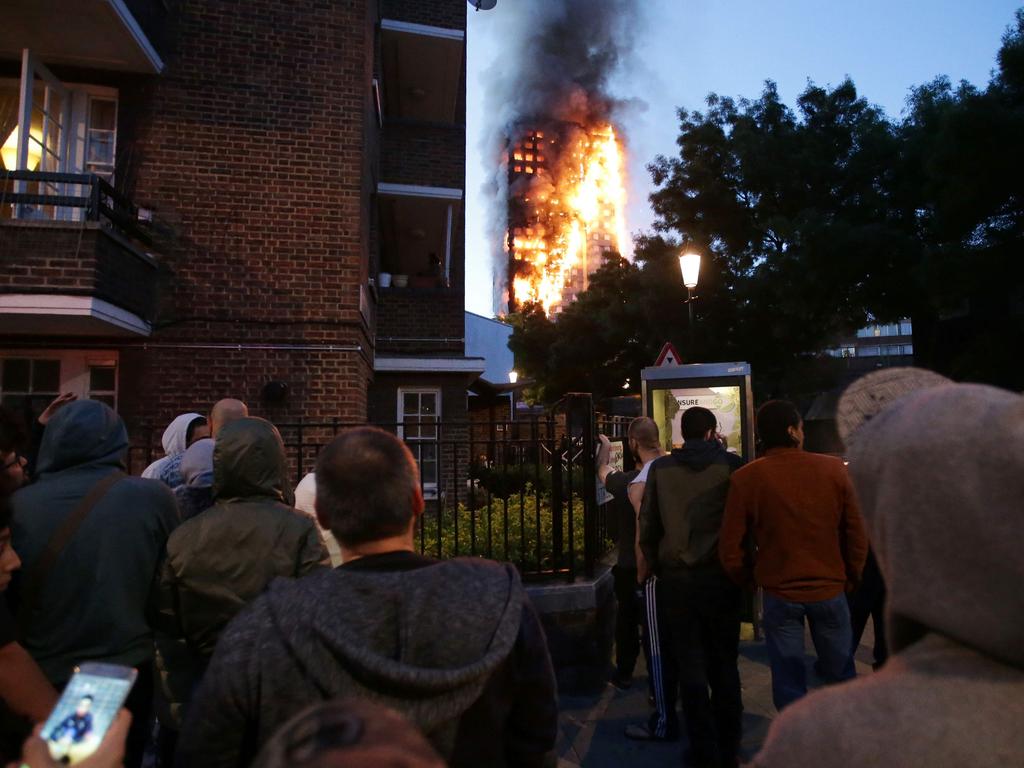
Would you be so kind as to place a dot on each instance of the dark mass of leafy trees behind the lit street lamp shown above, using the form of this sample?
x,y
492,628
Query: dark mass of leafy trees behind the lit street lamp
x,y
813,223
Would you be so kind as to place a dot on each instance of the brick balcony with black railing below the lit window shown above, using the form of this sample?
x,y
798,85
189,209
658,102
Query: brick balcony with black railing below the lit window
x,y
73,259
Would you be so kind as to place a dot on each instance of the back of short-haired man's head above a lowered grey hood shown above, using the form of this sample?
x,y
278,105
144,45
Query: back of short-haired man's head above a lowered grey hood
x,y
366,482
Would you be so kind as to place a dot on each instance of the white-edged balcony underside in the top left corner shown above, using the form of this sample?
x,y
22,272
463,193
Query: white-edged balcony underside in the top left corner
x,y
94,34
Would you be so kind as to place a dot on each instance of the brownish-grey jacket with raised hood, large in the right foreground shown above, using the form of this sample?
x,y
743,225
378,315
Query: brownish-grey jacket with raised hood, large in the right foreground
x,y
941,477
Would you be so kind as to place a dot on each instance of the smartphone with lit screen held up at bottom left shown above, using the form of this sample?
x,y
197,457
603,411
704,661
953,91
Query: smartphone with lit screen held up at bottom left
x,y
88,707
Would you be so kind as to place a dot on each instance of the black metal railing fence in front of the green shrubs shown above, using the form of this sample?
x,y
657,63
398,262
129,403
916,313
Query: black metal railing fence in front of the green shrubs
x,y
521,491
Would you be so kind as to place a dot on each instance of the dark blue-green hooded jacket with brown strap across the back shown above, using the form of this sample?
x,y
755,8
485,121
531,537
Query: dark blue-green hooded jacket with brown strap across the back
x,y
93,607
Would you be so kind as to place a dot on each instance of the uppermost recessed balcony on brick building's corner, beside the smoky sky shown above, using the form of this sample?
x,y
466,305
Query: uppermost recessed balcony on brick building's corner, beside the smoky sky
x,y
422,71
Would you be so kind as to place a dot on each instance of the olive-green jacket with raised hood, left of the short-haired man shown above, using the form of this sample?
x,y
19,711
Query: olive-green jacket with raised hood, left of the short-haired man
x,y
225,558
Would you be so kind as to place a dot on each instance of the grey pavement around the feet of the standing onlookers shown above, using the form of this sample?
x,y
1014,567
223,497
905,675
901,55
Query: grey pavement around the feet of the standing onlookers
x,y
591,728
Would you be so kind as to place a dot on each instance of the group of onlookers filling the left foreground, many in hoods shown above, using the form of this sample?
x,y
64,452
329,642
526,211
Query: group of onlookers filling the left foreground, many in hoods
x,y
206,577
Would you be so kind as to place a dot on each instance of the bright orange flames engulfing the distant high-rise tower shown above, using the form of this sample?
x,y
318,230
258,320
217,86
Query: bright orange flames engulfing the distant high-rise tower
x,y
571,199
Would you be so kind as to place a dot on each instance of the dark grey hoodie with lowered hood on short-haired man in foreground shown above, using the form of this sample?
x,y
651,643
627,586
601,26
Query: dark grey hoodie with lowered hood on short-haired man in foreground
x,y
455,647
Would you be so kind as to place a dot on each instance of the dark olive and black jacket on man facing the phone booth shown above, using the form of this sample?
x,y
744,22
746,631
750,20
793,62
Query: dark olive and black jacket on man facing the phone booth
x,y
684,504
